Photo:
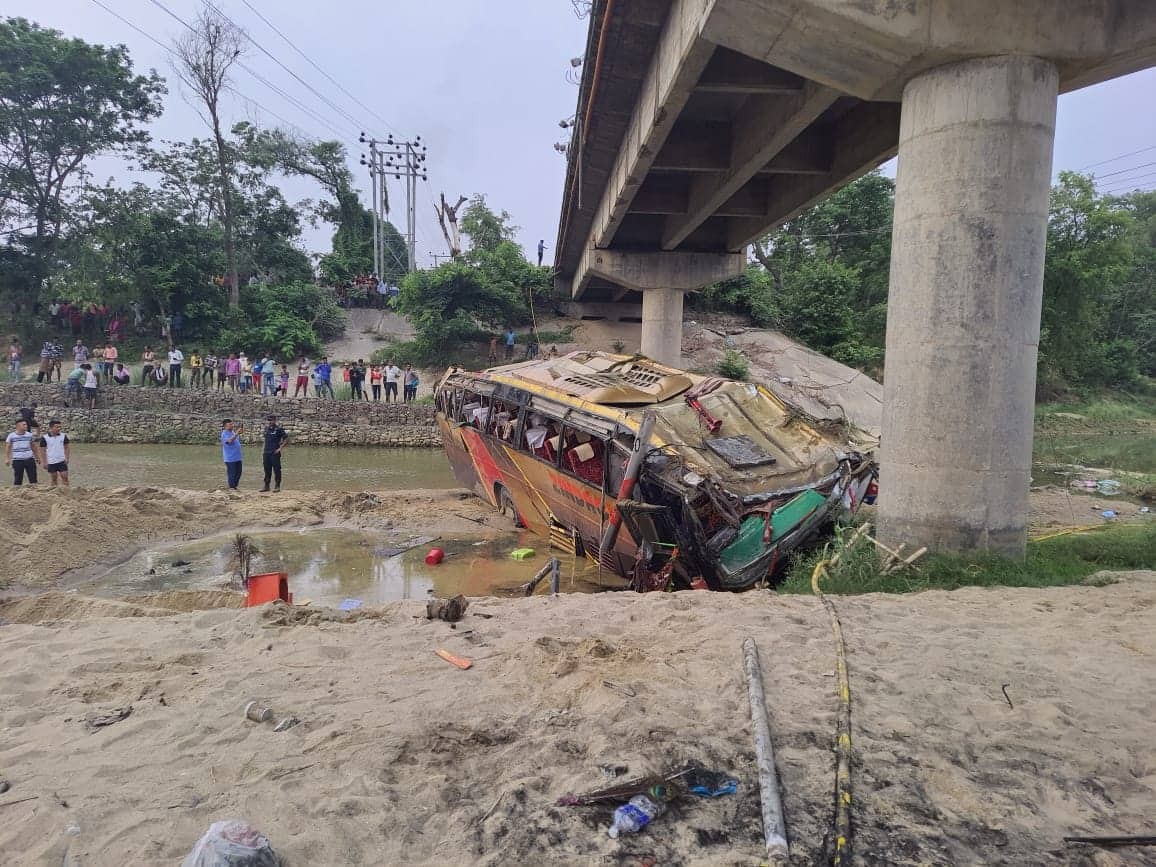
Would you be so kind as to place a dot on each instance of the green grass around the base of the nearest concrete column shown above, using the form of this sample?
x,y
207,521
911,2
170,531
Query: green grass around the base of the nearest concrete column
x,y
1056,562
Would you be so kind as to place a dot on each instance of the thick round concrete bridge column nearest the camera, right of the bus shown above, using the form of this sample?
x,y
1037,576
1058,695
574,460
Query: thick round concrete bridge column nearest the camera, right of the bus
x,y
964,312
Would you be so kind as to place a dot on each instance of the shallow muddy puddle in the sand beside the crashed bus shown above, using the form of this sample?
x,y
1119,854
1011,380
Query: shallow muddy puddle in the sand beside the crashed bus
x,y
330,566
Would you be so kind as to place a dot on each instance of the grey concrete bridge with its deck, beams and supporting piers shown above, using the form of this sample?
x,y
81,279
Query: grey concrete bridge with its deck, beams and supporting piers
x,y
705,124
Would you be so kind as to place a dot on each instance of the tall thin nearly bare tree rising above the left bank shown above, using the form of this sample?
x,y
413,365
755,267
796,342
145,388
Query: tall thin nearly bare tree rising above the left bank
x,y
204,61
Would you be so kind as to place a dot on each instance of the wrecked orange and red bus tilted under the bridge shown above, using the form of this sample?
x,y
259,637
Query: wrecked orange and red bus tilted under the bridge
x,y
714,483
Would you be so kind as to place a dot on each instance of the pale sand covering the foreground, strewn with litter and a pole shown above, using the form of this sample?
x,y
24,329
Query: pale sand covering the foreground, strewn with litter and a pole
x,y
403,759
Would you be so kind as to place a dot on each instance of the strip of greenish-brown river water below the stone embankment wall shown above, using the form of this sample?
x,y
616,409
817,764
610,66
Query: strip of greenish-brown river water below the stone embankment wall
x,y
199,468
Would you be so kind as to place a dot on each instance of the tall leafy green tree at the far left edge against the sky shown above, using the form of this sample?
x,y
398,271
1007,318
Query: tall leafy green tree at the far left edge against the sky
x,y
62,102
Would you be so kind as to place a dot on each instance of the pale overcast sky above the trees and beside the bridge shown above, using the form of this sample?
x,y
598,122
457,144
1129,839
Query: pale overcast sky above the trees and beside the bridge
x,y
484,84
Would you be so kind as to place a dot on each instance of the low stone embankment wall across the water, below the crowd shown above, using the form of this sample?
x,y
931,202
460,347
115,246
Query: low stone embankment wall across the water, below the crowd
x,y
136,414
